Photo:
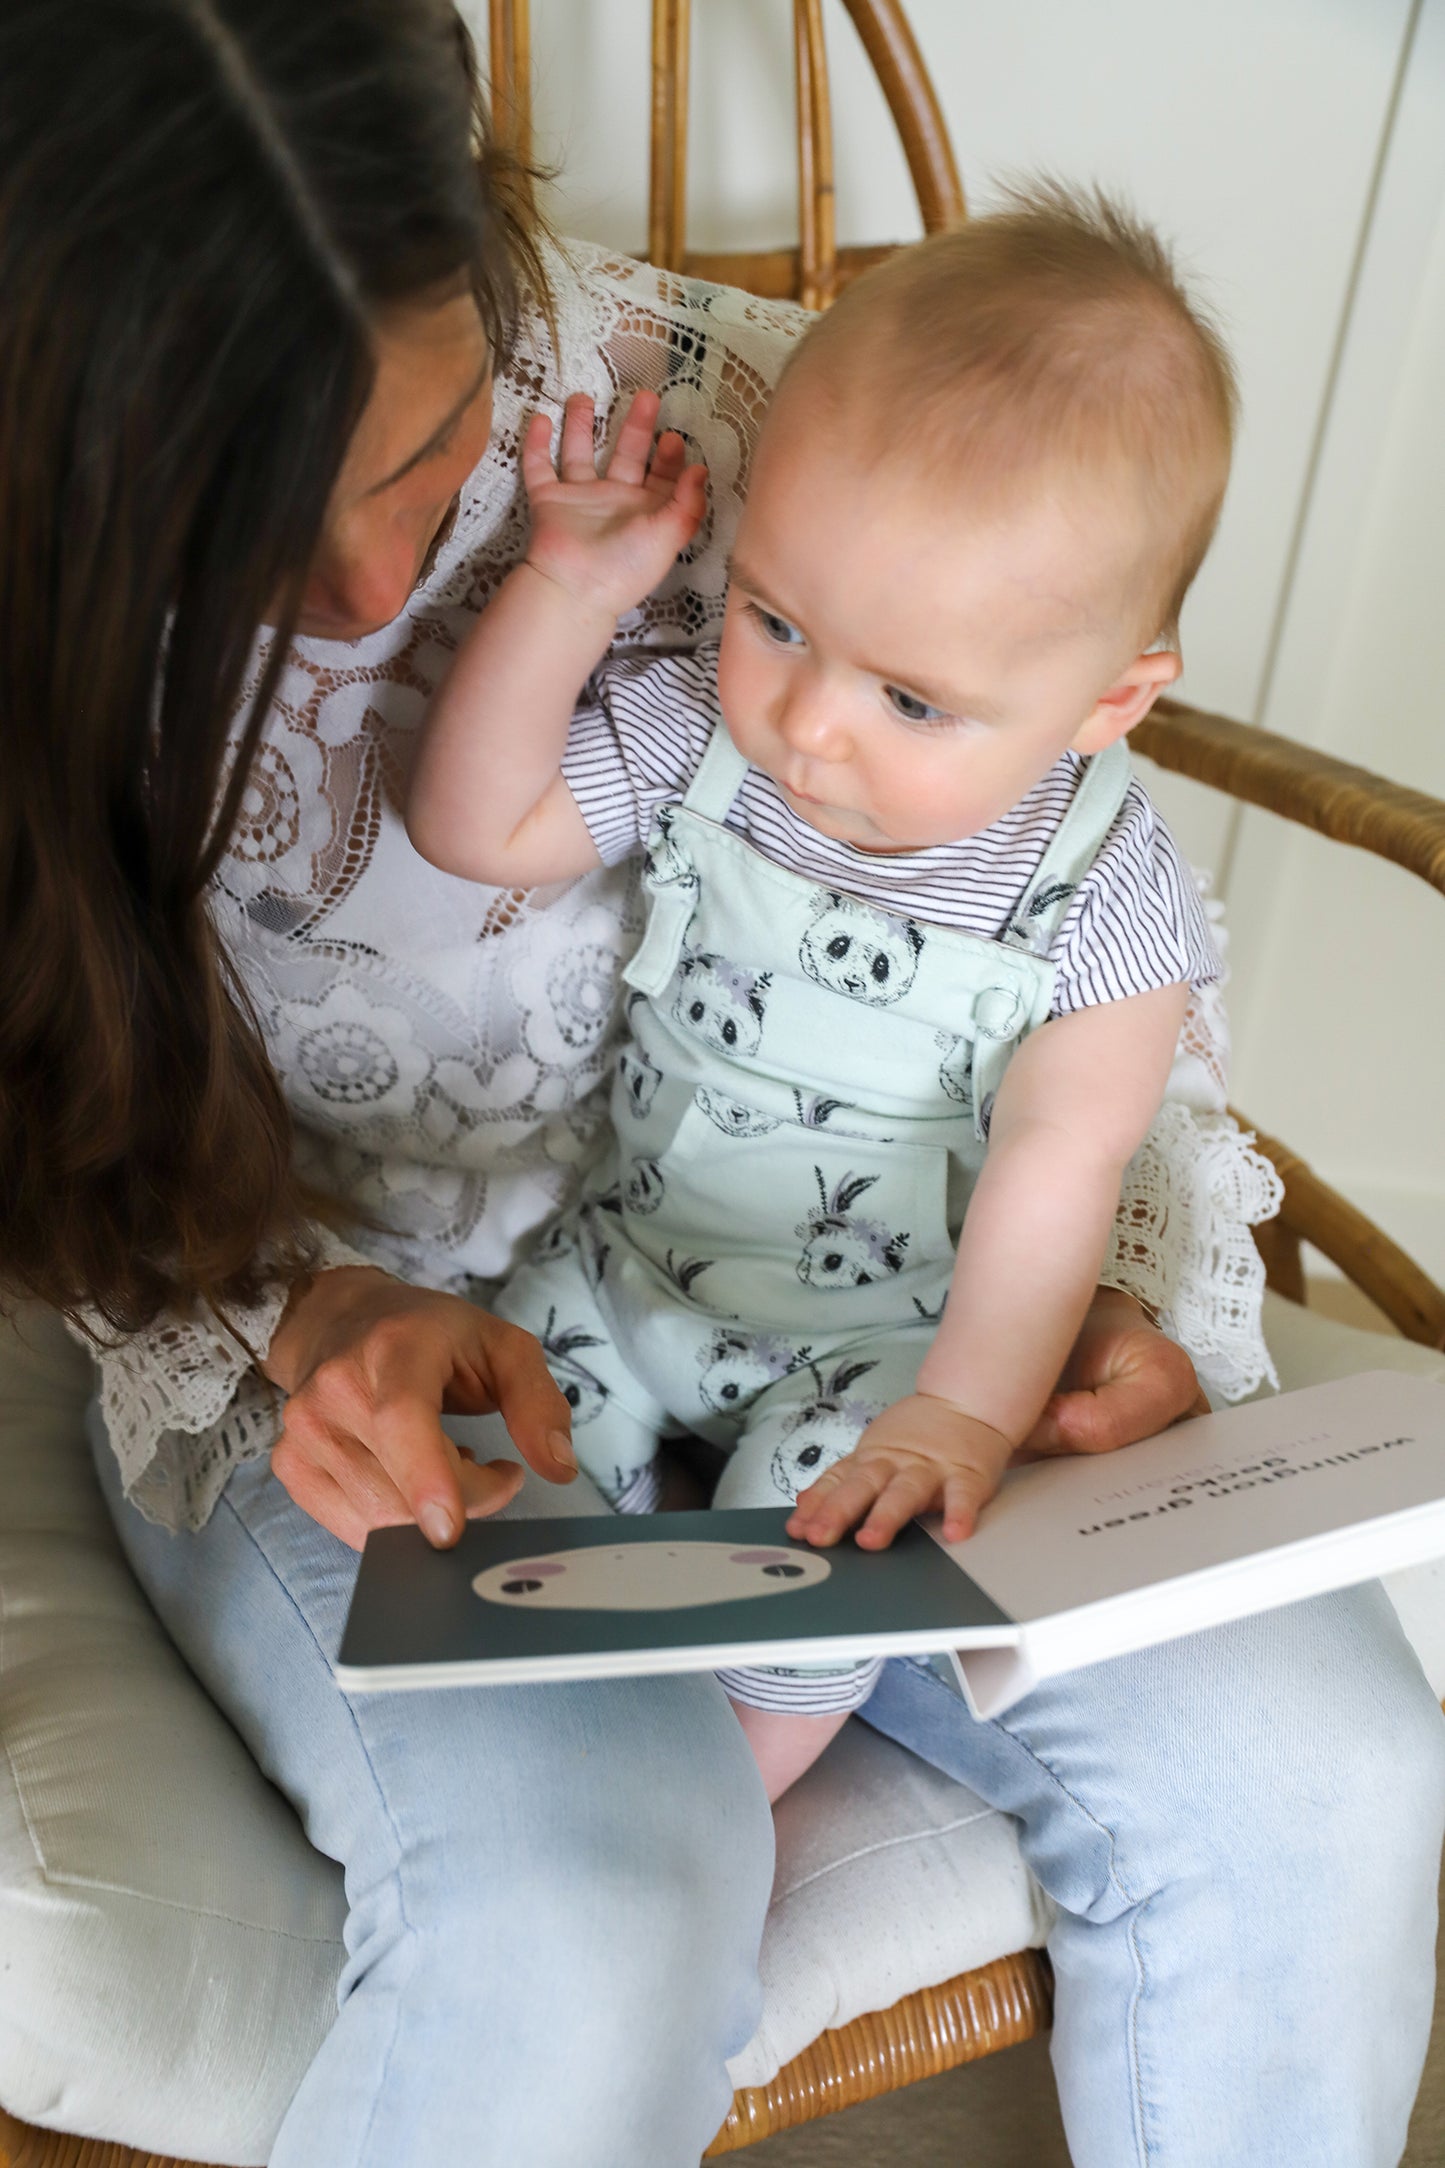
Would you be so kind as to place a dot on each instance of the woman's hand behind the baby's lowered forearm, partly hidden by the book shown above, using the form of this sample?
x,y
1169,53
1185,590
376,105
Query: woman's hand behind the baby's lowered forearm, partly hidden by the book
x,y
1123,1380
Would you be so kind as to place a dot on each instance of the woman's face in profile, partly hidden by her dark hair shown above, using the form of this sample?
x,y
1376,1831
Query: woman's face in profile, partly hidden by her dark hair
x,y
421,435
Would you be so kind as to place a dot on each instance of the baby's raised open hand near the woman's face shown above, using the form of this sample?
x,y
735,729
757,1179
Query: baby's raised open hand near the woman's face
x,y
612,539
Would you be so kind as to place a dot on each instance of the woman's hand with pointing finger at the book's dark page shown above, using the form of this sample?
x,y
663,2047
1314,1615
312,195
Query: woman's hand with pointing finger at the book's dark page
x,y
367,1367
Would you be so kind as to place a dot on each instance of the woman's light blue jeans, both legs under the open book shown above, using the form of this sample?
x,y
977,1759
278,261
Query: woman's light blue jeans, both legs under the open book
x,y
558,1894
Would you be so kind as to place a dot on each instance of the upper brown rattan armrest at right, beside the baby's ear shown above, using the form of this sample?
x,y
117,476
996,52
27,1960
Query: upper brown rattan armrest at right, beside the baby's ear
x,y
1303,786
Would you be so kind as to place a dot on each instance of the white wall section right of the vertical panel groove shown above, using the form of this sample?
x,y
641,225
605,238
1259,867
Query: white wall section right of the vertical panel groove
x,y
1338,998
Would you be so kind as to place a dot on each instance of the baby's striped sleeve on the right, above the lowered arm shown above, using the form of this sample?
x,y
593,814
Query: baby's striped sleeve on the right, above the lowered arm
x,y
1136,922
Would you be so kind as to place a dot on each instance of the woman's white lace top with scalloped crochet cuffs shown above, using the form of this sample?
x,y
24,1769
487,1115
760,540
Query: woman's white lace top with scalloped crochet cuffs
x,y
443,1044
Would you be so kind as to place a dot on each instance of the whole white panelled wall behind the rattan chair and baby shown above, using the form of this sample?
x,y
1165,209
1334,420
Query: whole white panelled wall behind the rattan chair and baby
x,y
1297,155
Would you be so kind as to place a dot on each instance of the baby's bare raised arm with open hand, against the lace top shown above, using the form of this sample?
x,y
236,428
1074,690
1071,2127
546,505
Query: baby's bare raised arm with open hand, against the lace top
x,y
489,799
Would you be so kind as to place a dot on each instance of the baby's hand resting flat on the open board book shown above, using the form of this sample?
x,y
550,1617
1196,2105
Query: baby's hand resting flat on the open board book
x,y
922,1456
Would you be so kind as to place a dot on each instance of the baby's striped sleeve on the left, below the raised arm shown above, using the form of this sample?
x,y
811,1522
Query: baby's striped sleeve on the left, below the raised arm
x,y
638,738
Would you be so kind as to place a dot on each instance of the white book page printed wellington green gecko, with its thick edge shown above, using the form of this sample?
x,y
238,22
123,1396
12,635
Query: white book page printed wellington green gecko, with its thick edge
x,y
1223,1517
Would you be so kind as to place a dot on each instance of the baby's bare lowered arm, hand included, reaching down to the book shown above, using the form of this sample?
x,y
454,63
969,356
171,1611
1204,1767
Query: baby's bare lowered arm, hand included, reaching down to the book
x,y
1071,1113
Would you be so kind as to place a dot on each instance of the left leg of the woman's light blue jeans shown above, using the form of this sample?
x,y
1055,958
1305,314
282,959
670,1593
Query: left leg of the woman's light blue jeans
x,y
556,1896
